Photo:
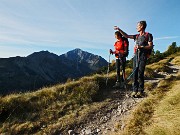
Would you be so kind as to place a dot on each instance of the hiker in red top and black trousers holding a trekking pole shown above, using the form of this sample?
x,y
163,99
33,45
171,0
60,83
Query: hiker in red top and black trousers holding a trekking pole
x,y
120,51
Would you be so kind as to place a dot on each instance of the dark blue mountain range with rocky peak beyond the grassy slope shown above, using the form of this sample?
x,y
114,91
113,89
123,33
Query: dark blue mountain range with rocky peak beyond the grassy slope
x,y
39,69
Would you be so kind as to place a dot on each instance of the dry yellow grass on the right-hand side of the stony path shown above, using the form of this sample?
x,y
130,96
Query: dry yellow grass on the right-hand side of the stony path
x,y
159,113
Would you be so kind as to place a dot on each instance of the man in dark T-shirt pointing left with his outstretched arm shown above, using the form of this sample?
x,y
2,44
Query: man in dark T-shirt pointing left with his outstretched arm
x,y
143,44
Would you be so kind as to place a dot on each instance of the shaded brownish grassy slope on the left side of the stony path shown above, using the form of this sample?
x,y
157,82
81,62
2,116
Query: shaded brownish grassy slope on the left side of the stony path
x,y
58,107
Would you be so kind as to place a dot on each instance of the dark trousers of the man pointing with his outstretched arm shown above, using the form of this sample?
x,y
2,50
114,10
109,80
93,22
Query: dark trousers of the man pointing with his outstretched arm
x,y
138,85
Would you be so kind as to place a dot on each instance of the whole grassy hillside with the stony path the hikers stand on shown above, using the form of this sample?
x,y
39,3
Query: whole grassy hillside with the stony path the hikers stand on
x,y
88,106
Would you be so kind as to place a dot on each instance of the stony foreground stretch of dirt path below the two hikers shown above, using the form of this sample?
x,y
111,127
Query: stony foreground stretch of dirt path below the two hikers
x,y
108,121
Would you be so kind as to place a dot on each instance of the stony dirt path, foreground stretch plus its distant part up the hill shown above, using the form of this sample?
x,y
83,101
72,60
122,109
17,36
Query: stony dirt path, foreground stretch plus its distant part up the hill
x,y
110,118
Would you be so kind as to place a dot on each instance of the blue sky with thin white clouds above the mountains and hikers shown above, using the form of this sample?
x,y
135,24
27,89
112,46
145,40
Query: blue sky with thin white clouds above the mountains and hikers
x,y
28,26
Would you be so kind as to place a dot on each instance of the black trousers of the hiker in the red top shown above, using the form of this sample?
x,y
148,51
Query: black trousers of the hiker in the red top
x,y
120,63
